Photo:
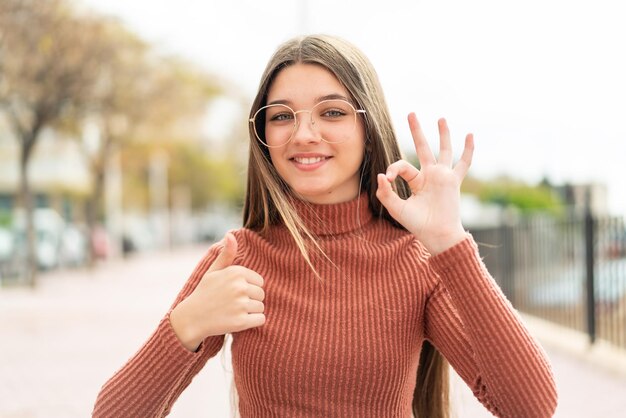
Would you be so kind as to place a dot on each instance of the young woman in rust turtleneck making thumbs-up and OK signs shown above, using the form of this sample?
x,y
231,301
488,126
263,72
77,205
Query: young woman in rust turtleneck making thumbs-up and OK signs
x,y
351,266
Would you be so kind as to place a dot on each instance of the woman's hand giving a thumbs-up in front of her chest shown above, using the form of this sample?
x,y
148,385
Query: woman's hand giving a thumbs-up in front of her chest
x,y
228,299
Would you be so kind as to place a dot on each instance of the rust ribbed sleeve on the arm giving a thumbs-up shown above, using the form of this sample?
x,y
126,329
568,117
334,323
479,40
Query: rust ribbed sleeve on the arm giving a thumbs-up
x,y
149,383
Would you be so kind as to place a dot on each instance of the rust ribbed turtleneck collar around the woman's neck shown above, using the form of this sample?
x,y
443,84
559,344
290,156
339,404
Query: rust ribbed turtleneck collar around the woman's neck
x,y
337,218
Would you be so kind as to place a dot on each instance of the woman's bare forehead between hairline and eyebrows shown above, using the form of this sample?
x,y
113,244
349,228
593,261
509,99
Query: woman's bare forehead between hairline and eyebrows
x,y
304,84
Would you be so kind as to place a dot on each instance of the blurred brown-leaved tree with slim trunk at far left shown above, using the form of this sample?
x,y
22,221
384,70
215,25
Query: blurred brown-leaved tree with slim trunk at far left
x,y
50,63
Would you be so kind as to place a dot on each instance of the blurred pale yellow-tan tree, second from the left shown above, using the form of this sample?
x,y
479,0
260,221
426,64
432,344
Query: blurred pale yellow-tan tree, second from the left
x,y
144,99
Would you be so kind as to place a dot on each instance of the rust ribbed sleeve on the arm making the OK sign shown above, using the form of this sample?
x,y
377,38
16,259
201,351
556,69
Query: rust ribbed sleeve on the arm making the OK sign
x,y
475,327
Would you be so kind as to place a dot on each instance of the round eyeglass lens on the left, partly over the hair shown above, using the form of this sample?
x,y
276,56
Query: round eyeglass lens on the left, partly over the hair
x,y
274,125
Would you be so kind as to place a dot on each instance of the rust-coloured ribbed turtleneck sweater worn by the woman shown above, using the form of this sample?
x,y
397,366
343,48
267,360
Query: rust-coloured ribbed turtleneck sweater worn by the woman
x,y
348,344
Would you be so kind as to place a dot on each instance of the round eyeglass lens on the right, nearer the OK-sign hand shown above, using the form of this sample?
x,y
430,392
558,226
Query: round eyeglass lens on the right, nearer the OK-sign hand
x,y
335,119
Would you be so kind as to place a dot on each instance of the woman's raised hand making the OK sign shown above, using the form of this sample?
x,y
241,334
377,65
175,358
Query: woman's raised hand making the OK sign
x,y
432,212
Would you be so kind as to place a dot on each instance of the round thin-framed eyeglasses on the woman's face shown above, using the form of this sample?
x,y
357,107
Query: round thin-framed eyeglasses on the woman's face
x,y
334,120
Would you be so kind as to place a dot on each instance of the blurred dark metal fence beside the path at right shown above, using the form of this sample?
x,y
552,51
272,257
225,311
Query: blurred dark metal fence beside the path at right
x,y
569,270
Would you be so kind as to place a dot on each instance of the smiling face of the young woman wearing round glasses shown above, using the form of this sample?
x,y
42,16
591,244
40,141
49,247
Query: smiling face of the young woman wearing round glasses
x,y
321,172
